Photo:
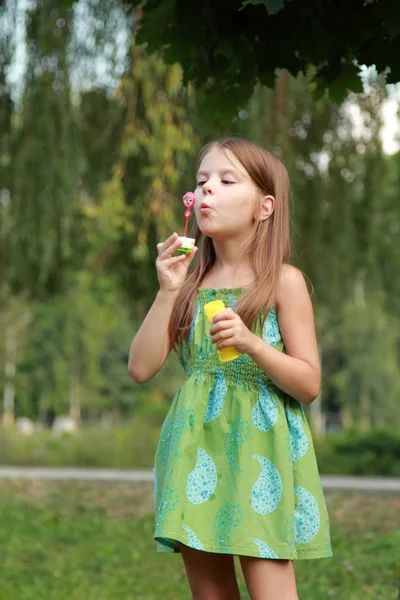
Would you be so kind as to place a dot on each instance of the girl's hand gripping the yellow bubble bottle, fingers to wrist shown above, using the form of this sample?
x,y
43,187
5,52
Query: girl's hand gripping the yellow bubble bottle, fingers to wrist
x,y
228,329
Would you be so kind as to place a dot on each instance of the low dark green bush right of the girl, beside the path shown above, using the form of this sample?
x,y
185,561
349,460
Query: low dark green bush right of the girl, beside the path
x,y
376,452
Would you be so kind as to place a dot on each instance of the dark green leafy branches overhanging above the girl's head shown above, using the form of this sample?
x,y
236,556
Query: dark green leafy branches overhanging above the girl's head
x,y
226,47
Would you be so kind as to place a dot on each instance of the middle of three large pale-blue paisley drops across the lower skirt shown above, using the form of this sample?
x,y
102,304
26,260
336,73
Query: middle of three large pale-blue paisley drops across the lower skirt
x,y
267,491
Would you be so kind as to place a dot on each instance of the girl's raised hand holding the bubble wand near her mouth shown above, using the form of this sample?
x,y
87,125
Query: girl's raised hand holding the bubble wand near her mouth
x,y
171,270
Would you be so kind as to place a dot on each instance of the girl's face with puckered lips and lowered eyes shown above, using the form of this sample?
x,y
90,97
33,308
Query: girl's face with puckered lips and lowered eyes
x,y
226,197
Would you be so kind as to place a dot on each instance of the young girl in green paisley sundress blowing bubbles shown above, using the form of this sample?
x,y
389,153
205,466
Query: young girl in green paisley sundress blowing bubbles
x,y
235,470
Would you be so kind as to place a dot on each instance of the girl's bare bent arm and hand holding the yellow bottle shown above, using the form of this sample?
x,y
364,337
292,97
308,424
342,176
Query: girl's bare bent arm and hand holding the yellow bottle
x,y
297,372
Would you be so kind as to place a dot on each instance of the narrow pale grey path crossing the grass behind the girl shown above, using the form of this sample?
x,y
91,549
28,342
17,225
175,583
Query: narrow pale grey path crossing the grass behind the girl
x,y
329,482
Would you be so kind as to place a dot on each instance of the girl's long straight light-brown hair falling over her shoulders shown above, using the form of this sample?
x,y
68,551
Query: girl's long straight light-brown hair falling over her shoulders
x,y
268,244
